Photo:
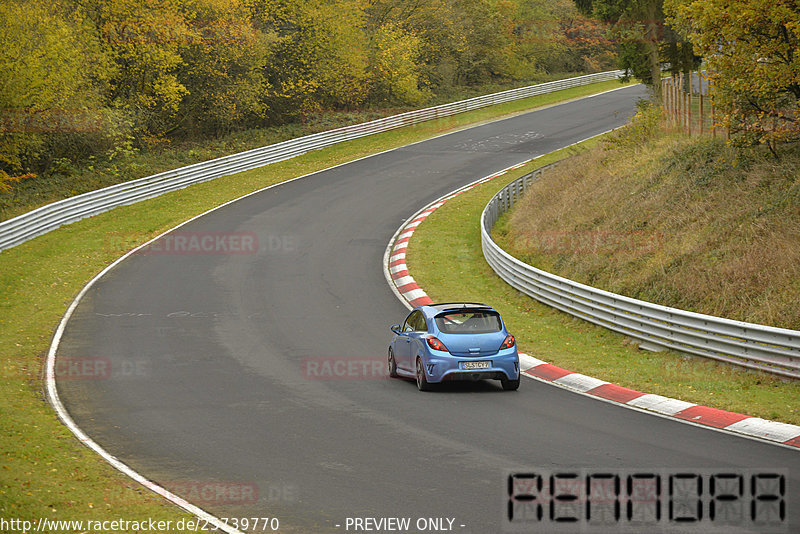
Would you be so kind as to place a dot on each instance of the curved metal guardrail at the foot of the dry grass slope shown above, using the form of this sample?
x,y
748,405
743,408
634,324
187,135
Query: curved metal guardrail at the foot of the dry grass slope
x,y
766,348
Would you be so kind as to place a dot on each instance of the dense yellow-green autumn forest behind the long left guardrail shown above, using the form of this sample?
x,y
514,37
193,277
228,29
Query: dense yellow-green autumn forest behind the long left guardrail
x,y
89,84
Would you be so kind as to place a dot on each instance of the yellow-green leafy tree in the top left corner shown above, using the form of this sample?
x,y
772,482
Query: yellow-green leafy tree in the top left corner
x,y
51,90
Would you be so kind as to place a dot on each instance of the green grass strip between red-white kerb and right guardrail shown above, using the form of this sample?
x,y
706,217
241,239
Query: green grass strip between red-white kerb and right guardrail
x,y
571,343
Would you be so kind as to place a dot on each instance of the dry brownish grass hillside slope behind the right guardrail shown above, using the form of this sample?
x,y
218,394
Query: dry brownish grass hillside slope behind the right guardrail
x,y
683,222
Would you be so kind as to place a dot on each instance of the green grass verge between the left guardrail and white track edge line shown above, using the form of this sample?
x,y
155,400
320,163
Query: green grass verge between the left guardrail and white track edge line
x,y
44,472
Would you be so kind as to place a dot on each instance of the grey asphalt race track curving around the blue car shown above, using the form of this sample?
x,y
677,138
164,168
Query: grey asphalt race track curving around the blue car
x,y
218,387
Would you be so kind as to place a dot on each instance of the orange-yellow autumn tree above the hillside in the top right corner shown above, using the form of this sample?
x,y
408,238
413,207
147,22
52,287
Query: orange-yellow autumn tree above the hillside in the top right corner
x,y
751,50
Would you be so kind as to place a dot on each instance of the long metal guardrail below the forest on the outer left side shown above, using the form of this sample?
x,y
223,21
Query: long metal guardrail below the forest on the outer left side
x,y
42,220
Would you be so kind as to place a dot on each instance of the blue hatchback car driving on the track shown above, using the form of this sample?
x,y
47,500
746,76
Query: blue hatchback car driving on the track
x,y
454,341
